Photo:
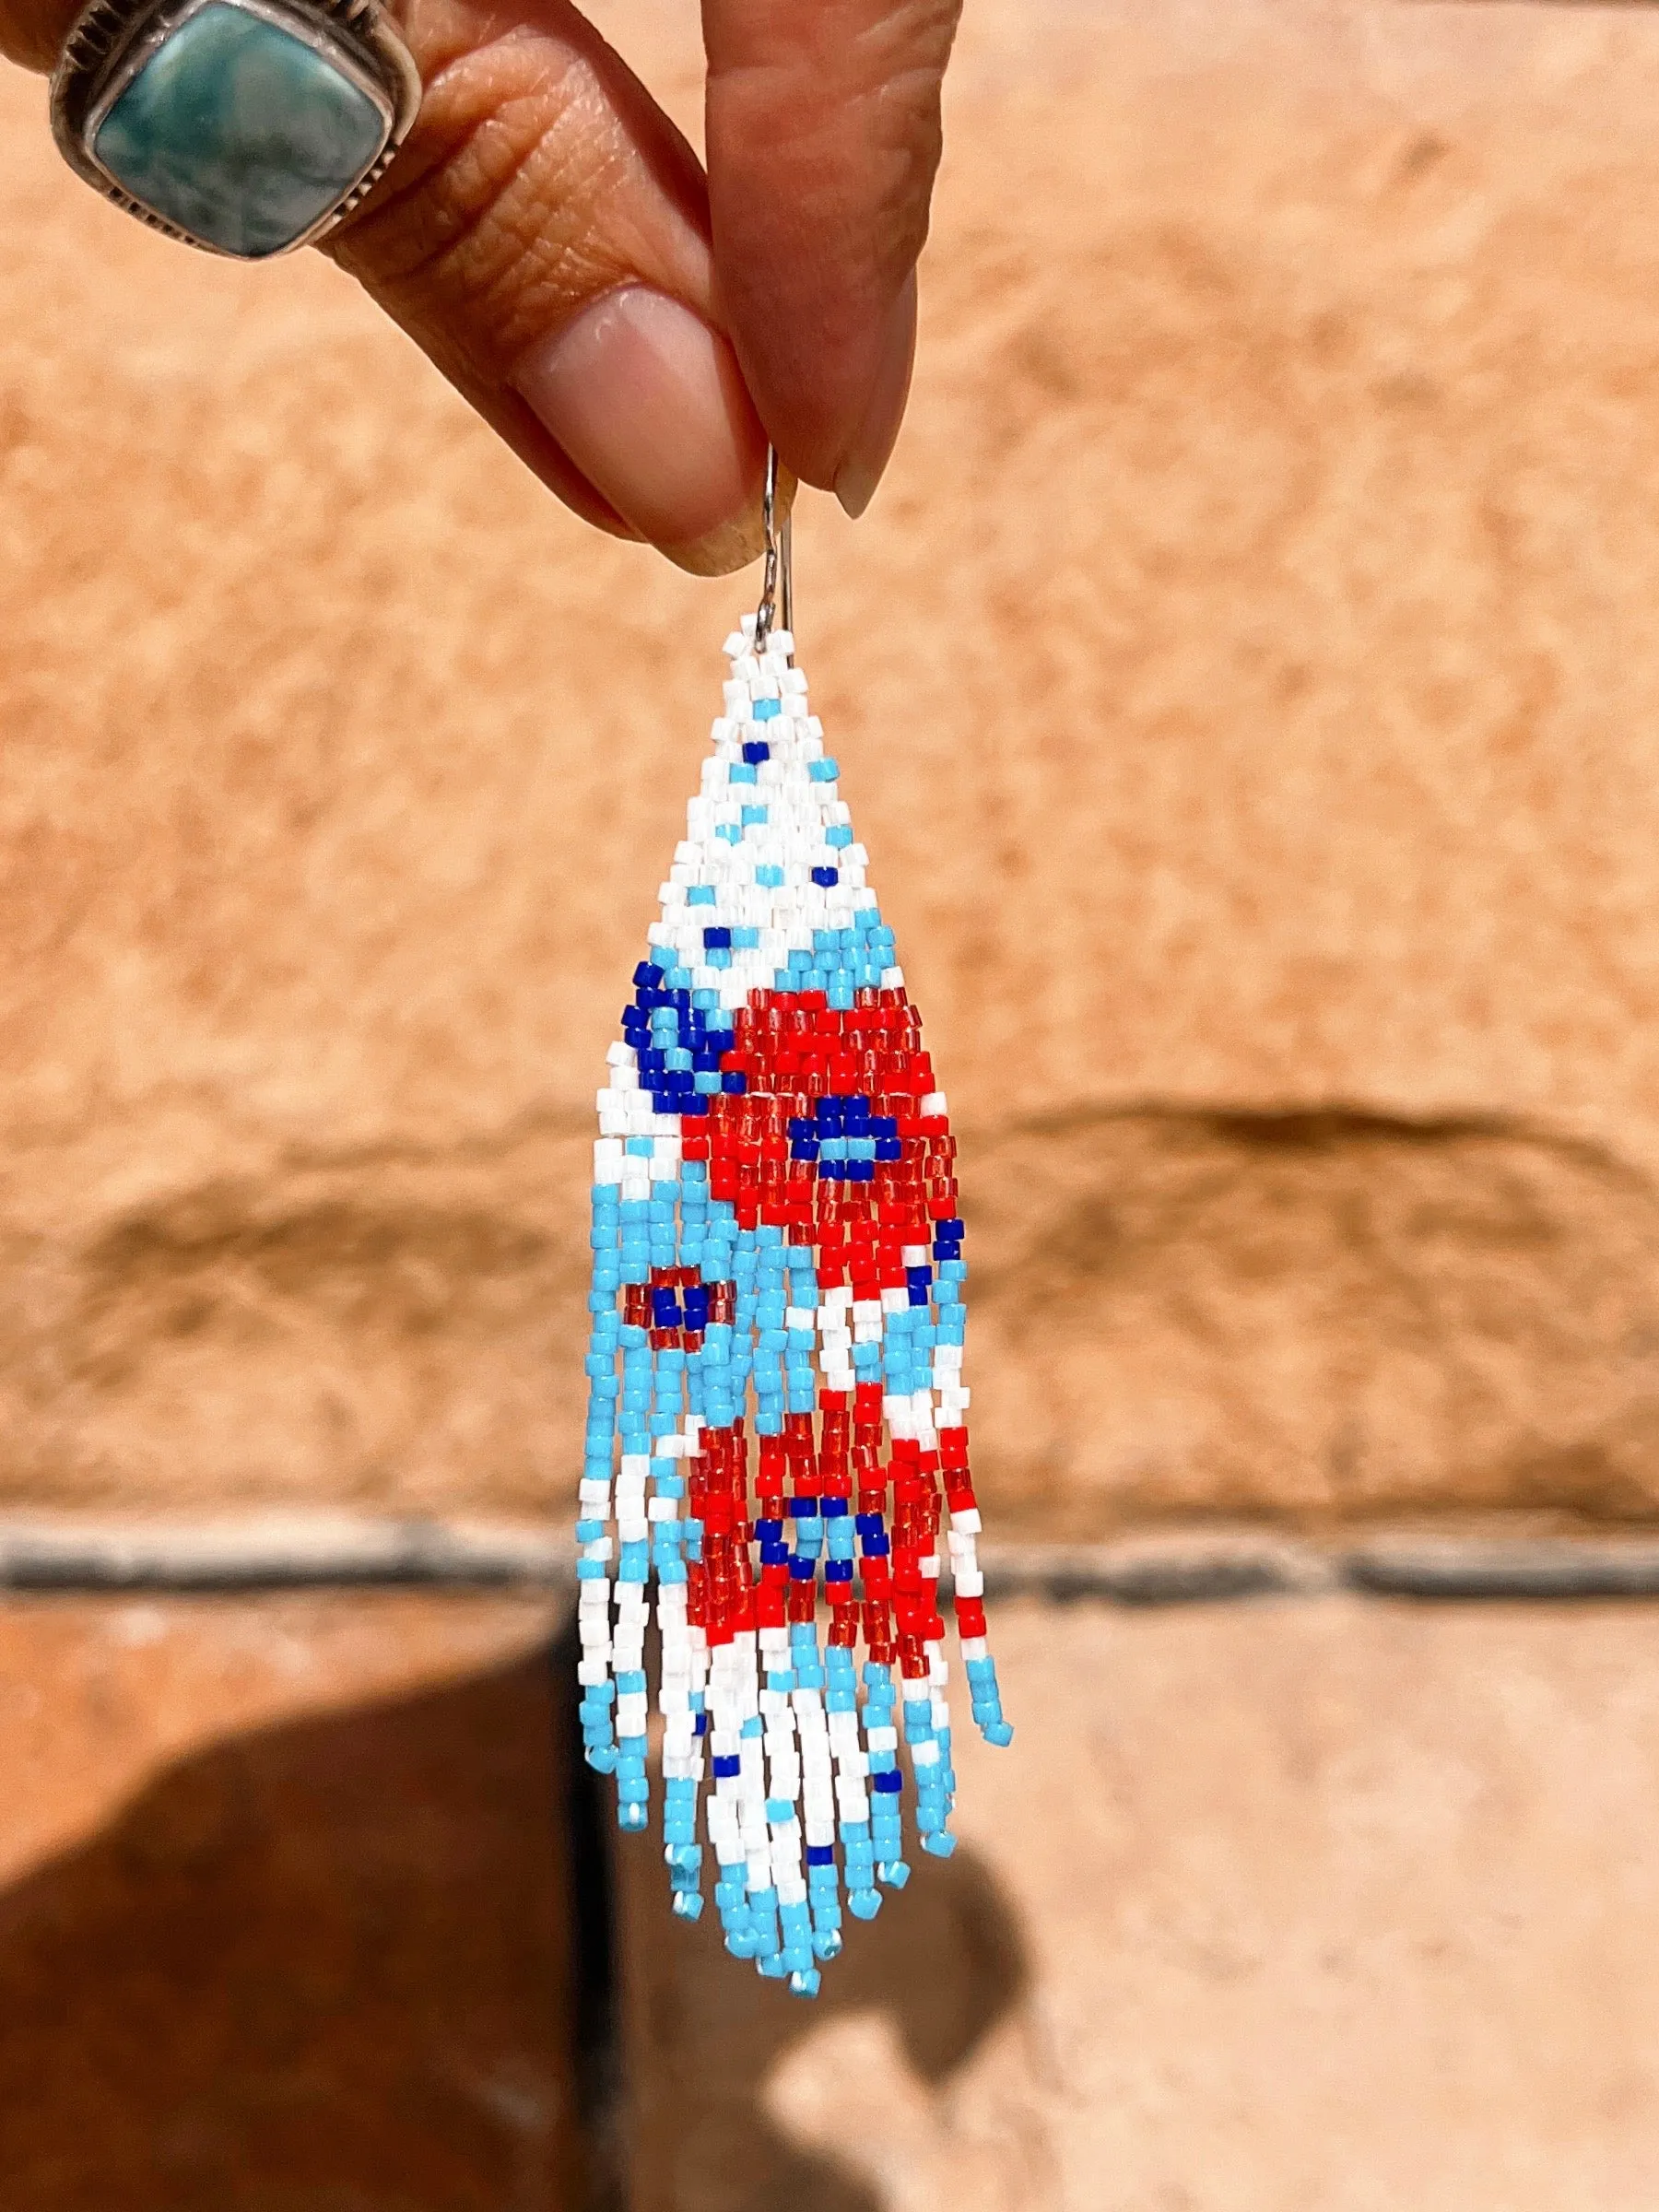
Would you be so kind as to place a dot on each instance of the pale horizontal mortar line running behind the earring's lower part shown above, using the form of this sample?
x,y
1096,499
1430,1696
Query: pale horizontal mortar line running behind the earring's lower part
x,y
320,1552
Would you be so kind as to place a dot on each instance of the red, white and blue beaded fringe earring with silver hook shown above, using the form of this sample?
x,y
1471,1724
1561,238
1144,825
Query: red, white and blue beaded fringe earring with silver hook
x,y
775,1370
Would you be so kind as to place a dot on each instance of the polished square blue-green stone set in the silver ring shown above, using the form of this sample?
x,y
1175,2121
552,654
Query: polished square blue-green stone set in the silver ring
x,y
240,134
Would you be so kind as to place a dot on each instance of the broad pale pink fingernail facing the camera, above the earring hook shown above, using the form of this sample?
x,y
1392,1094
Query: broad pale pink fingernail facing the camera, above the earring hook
x,y
651,408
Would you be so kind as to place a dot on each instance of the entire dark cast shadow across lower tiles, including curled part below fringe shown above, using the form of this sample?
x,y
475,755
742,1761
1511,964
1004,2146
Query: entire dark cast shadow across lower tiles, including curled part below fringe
x,y
364,1963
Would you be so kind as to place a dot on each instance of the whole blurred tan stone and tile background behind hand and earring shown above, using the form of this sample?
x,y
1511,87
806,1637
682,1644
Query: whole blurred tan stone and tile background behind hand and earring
x,y
1246,685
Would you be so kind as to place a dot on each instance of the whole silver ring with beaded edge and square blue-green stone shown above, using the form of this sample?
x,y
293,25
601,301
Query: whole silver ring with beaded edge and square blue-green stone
x,y
244,127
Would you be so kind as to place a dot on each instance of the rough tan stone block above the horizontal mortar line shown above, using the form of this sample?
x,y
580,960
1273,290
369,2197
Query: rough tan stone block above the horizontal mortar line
x,y
1244,685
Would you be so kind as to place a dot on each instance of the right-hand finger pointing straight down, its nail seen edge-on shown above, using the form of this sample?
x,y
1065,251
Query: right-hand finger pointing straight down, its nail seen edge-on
x,y
824,138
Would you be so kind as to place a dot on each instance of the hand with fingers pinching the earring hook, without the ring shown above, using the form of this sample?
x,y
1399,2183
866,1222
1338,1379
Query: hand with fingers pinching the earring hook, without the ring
x,y
629,326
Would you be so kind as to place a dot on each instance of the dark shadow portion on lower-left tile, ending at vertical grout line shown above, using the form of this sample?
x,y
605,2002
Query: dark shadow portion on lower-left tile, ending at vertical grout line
x,y
322,1968
